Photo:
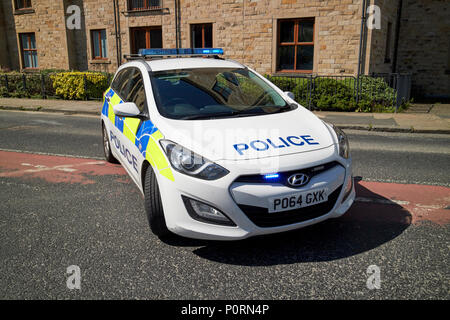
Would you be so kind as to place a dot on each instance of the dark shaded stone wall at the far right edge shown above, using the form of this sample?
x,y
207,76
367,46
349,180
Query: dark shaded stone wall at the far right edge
x,y
425,45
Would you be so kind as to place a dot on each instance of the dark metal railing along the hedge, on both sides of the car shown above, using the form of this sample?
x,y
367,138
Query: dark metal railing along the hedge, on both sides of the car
x,y
312,91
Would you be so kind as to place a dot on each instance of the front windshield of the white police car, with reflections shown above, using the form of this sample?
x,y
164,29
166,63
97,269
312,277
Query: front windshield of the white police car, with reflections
x,y
211,93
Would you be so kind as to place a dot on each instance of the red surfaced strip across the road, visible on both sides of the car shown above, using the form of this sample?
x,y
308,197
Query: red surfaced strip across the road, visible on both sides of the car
x,y
376,201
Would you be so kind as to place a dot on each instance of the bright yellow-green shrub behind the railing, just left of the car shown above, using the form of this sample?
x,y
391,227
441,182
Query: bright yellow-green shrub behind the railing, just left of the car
x,y
71,85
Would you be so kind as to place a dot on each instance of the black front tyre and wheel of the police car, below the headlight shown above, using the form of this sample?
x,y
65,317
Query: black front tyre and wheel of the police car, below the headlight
x,y
153,205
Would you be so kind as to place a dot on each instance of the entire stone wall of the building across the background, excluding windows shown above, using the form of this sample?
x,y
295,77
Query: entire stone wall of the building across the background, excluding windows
x,y
247,30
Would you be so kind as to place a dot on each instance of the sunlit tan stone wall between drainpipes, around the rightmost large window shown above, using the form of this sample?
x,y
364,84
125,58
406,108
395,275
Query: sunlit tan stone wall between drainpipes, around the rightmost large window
x,y
247,30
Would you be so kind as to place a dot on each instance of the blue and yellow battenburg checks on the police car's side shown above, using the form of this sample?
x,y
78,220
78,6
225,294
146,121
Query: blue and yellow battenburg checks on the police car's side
x,y
144,136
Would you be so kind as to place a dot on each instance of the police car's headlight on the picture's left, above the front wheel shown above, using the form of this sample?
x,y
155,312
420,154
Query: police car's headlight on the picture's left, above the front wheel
x,y
190,163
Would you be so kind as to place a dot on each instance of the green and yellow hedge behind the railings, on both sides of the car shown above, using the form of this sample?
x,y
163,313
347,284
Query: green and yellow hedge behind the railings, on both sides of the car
x,y
331,94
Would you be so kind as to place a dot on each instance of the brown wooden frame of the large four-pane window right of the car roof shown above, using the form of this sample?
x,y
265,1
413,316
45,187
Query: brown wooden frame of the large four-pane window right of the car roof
x,y
295,43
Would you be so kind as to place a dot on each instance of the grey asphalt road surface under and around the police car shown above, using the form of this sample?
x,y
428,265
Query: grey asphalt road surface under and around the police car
x,y
94,218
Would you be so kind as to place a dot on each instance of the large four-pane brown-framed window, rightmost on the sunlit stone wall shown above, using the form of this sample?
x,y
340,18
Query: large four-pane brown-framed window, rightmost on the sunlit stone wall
x,y
295,45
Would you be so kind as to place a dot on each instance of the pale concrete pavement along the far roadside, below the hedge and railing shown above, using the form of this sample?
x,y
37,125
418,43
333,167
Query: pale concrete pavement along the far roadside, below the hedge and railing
x,y
431,118
